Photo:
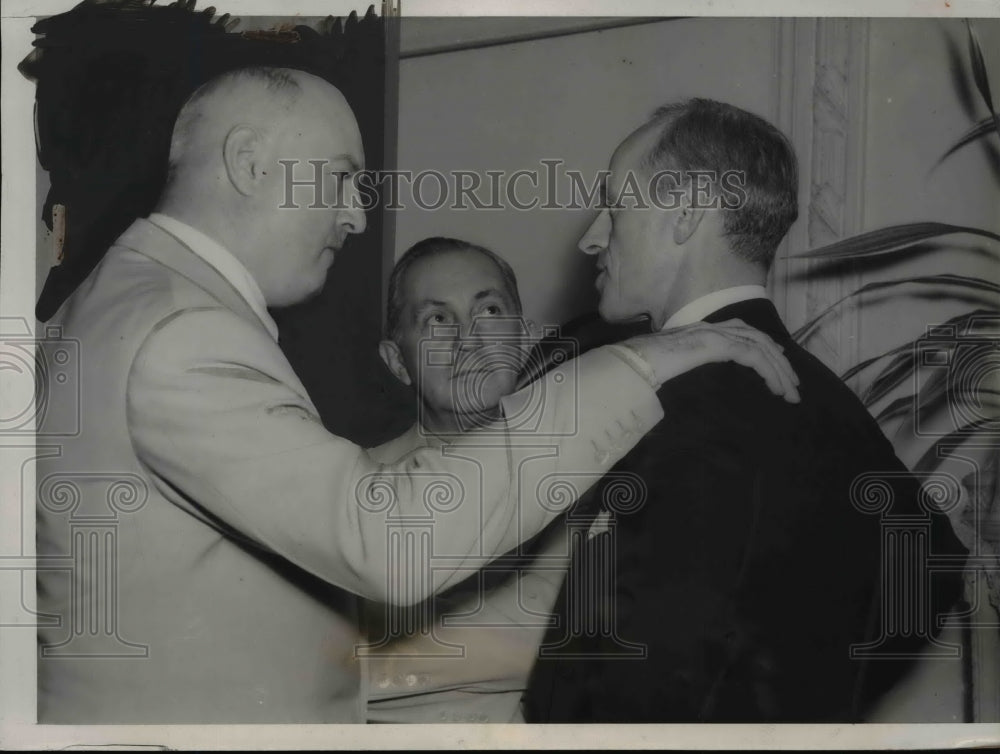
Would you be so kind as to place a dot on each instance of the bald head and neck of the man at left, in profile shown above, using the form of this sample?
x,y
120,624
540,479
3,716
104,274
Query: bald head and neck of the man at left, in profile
x,y
263,161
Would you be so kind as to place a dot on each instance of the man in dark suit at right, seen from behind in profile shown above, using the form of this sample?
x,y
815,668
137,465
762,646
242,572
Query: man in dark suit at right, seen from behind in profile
x,y
733,587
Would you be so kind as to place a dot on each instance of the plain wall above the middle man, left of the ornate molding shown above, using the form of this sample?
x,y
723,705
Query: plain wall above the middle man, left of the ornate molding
x,y
571,98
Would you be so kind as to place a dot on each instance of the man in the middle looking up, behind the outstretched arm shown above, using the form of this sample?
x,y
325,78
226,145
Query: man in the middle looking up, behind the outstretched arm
x,y
465,655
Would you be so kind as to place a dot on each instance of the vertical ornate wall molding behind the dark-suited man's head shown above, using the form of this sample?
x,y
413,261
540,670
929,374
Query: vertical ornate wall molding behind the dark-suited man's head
x,y
822,103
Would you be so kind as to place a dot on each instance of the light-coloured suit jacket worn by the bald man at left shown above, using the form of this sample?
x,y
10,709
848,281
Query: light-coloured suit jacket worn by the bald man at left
x,y
202,537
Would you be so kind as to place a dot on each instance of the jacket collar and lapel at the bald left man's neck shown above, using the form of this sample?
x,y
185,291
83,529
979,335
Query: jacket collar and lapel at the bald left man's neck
x,y
152,241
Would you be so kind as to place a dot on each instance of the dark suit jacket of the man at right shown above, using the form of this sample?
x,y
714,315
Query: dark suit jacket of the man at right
x,y
748,573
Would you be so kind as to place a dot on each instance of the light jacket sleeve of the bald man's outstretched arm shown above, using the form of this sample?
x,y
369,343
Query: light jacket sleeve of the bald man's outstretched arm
x,y
226,431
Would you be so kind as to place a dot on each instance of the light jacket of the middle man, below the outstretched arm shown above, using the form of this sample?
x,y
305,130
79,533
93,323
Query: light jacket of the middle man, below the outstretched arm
x,y
464,656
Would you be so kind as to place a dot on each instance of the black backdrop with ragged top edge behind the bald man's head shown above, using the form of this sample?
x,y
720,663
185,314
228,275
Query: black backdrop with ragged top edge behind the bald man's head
x,y
111,77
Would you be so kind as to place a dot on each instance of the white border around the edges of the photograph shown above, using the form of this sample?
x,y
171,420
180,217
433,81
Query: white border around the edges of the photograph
x,y
17,299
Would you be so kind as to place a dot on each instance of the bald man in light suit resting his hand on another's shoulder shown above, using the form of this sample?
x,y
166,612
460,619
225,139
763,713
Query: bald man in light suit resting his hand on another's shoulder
x,y
226,589
